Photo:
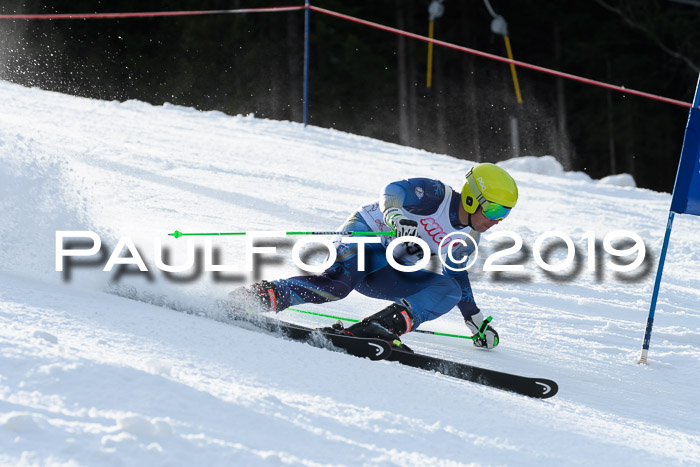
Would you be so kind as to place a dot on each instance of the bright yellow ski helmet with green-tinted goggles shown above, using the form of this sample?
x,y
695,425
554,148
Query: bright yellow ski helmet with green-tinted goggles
x,y
490,187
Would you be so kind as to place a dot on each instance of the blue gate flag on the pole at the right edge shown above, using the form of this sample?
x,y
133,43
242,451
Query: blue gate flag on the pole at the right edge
x,y
686,191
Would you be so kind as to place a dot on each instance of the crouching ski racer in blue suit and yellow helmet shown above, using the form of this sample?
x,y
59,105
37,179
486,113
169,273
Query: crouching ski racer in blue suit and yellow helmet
x,y
419,207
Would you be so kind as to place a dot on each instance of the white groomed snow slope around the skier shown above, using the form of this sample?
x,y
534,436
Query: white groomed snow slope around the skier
x,y
140,369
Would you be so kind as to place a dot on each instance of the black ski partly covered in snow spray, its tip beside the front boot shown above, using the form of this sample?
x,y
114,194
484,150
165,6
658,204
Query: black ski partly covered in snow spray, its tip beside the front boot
x,y
374,349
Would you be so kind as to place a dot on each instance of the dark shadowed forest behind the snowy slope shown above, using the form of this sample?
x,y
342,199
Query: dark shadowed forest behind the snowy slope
x,y
373,83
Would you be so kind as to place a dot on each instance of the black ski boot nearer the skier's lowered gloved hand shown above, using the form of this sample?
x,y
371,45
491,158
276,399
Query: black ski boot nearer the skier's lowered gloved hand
x,y
387,324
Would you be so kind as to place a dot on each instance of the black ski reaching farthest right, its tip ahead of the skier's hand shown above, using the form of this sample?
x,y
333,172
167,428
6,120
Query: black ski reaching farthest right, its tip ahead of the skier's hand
x,y
540,388
